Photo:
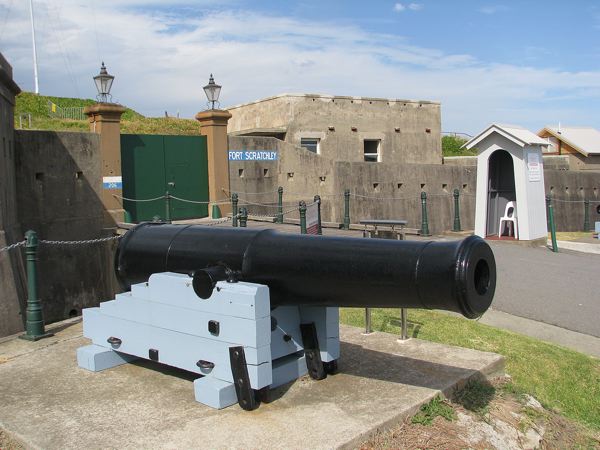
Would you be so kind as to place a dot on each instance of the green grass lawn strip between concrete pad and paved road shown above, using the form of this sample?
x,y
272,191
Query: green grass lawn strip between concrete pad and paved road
x,y
561,379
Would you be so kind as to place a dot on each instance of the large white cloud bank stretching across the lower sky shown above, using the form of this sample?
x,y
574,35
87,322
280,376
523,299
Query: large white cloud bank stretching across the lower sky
x,y
162,59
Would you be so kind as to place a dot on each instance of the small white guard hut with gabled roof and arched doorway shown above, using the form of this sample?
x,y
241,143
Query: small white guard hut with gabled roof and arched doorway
x,y
509,169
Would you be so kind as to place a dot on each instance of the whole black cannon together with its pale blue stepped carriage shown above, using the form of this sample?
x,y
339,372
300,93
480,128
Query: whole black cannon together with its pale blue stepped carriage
x,y
254,309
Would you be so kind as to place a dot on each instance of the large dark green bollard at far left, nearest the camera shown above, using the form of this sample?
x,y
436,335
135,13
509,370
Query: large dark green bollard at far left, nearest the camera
x,y
34,324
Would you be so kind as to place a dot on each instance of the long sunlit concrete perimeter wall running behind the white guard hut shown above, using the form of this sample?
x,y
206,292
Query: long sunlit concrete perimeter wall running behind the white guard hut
x,y
387,191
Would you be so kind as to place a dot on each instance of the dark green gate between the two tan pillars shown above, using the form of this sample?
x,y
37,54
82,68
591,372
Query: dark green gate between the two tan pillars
x,y
153,165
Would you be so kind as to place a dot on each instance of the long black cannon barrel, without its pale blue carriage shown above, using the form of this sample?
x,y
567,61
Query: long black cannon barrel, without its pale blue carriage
x,y
301,269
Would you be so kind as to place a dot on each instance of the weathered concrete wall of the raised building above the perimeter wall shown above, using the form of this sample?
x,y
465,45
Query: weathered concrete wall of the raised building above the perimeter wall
x,y
410,131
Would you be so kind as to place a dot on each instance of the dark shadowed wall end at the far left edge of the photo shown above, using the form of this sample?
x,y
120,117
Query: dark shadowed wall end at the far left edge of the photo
x,y
12,282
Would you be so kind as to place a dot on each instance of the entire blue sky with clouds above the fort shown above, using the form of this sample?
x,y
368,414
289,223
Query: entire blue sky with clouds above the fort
x,y
530,63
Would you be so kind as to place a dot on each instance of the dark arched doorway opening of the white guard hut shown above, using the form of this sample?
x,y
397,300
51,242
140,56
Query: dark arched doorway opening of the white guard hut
x,y
501,189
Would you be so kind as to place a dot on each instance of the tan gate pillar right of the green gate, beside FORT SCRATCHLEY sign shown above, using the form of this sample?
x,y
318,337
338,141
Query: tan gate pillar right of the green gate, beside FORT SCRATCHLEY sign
x,y
213,125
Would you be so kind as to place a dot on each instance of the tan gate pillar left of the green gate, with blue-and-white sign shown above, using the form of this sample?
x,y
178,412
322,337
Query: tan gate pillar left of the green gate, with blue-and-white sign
x,y
105,119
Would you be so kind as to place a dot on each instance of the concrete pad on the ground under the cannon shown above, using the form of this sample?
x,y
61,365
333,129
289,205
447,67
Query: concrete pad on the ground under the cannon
x,y
48,402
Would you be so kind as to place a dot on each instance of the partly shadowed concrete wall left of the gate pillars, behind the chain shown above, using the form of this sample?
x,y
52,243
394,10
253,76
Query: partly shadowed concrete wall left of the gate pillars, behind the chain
x,y
59,185
